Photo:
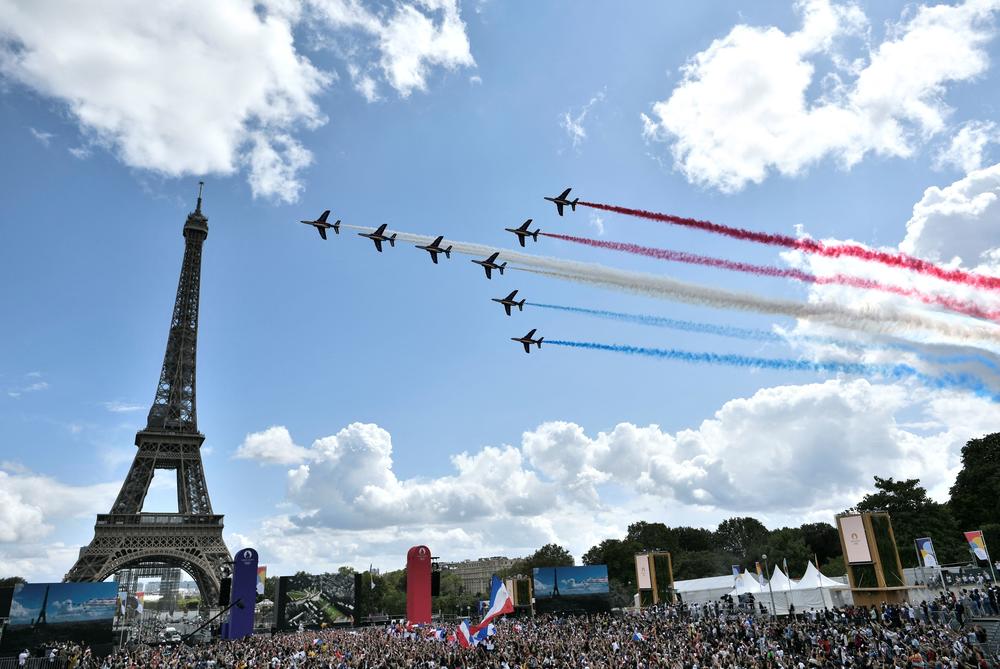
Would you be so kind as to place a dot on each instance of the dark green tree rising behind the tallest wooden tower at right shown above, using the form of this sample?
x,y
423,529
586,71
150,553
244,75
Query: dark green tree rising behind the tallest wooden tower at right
x,y
914,515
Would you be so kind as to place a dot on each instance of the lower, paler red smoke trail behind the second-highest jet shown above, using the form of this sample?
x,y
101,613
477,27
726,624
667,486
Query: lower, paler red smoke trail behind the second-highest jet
x,y
960,306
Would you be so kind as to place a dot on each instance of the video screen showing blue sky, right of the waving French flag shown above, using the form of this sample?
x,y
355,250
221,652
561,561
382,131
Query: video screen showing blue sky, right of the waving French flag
x,y
566,589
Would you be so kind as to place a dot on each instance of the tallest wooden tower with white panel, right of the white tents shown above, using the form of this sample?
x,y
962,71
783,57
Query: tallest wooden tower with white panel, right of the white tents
x,y
873,567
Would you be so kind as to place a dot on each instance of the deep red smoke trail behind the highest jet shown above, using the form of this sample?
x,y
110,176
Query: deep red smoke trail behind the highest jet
x,y
901,260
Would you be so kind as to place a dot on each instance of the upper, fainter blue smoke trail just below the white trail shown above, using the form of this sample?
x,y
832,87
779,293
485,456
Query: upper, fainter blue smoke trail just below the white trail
x,y
754,334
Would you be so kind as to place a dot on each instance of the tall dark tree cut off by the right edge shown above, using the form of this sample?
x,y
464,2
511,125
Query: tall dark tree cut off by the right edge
x,y
974,498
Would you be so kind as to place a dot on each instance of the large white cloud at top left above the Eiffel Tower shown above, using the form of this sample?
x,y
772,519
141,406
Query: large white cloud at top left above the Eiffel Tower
x,y
190,87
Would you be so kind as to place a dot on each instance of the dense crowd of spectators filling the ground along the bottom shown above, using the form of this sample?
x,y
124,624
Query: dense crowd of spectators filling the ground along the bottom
x,y
711,636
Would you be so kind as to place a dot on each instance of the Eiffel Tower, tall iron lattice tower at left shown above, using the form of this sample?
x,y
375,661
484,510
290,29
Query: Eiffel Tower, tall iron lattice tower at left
x,y
190,539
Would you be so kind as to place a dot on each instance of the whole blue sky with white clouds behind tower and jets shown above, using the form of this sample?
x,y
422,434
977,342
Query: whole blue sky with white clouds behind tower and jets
x,y
376,399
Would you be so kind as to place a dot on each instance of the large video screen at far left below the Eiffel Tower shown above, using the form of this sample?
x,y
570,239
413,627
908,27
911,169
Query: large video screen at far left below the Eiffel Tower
x,y
45,613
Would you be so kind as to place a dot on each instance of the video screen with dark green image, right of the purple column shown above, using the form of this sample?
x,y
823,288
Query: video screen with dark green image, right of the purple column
x,y
315,600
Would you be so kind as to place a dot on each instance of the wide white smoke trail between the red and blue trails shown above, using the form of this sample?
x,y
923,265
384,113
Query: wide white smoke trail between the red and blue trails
x,y
884,320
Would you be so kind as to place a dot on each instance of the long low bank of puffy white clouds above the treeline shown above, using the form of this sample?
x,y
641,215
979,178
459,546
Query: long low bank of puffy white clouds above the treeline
x,y
786,454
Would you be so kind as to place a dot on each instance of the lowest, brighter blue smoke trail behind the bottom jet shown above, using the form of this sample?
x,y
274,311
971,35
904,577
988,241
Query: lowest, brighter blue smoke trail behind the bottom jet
x,y
895,372
